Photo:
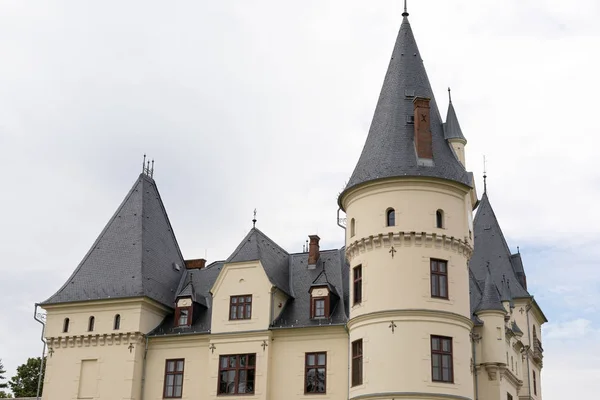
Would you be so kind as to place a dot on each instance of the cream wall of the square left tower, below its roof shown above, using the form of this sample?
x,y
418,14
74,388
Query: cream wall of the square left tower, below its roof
x,y
119,353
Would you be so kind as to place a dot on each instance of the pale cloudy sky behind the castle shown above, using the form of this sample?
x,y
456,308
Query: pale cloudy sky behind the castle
x,y
266,104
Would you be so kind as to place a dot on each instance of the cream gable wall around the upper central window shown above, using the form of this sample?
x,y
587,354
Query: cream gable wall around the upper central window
x,y
247,278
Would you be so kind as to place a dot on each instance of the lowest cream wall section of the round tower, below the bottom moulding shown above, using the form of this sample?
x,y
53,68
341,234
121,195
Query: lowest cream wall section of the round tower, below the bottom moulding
x,y
400,361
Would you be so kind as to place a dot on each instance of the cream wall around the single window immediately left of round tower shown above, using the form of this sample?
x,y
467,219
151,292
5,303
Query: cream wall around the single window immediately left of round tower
x,y
289,347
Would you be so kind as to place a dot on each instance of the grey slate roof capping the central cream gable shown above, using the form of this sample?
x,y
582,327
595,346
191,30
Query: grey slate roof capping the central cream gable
x,y
275,260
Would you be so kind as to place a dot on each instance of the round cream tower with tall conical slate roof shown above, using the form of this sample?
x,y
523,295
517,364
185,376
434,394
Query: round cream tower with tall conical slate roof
x,y
409,208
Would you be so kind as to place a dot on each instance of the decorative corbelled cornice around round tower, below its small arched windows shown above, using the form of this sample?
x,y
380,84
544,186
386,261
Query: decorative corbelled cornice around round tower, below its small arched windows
x,y
408,239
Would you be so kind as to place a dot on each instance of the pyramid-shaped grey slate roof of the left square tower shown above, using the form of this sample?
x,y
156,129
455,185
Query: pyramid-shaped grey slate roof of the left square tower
x,y
135,255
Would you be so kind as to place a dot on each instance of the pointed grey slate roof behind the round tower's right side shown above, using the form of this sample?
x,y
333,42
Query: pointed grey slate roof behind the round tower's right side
x,y
491,248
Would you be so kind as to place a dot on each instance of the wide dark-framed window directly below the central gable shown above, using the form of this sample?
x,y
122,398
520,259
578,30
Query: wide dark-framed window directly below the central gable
x,y
237,373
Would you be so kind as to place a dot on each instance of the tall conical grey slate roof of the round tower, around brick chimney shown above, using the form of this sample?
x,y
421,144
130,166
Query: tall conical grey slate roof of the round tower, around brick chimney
x,y
389,150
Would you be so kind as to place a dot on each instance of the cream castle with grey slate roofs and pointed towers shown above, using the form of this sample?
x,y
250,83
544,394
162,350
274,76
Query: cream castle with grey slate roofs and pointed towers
x,y
422,302
